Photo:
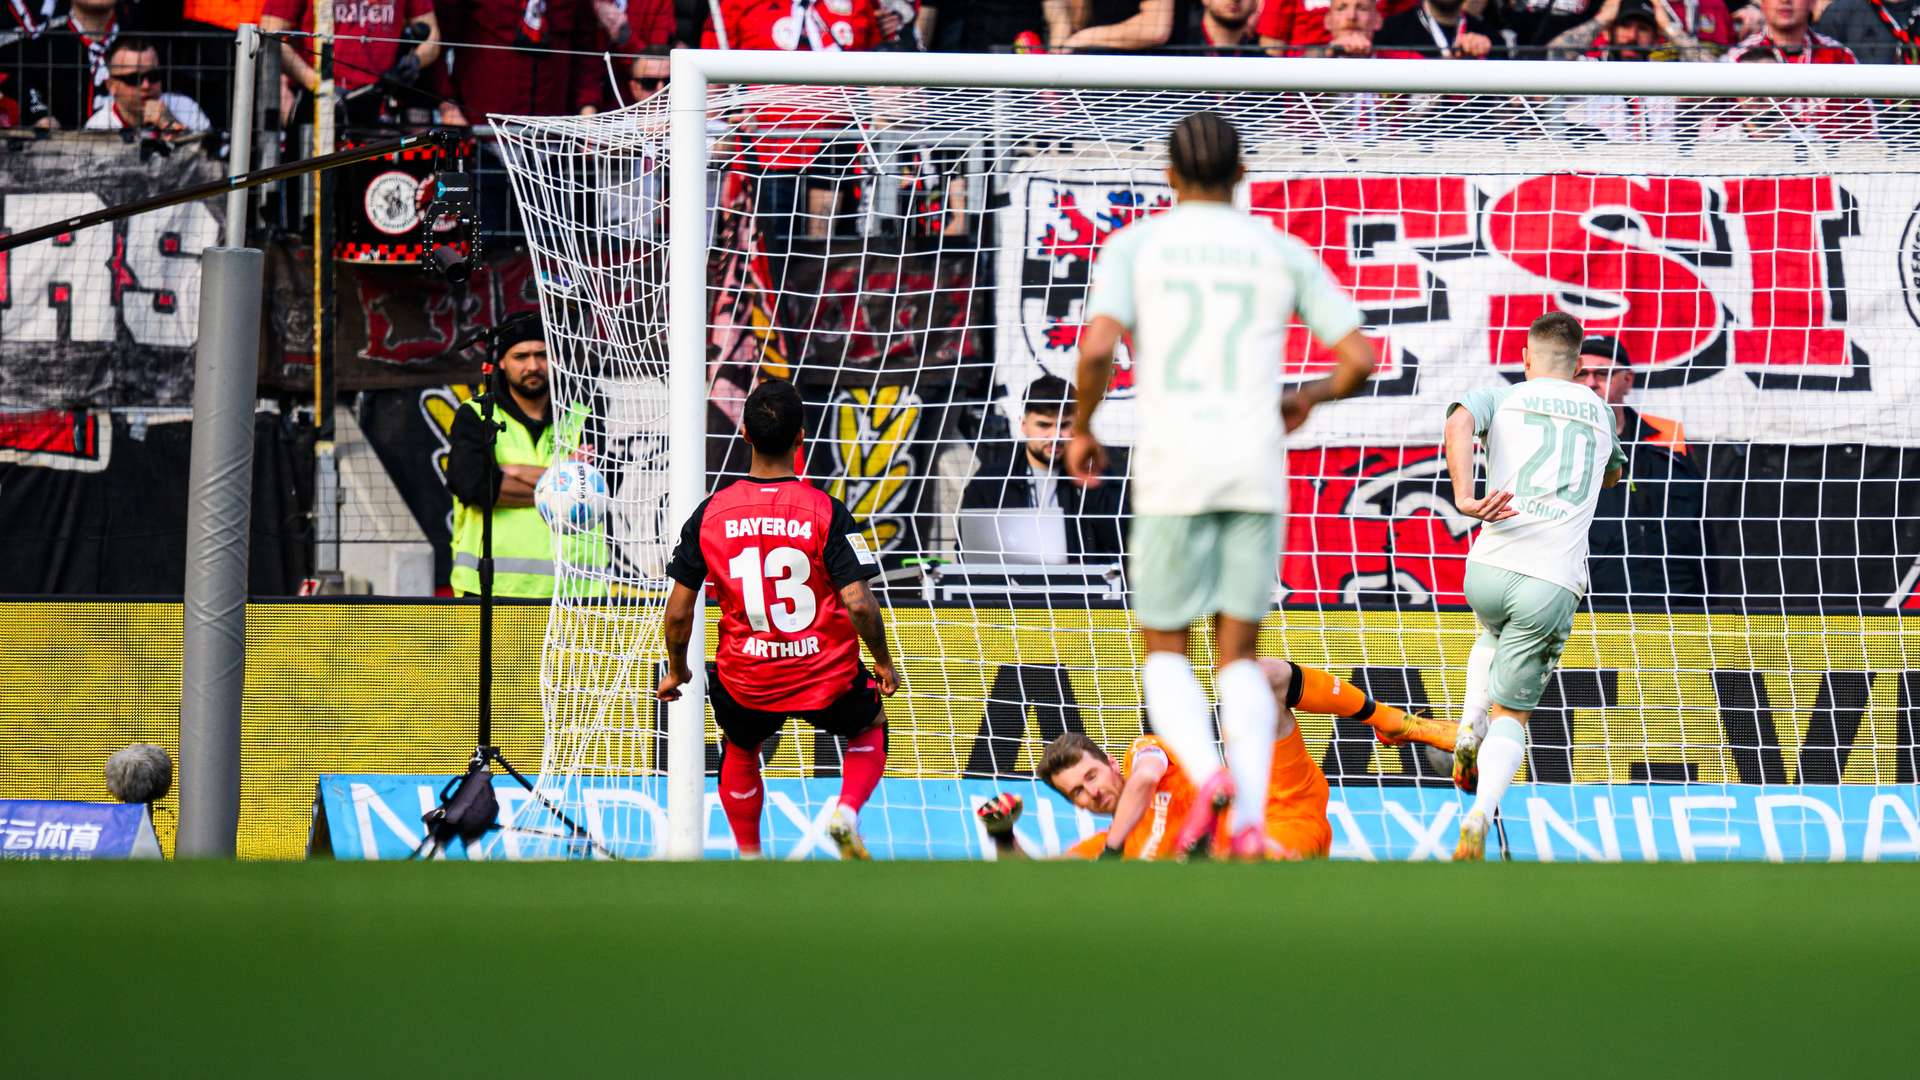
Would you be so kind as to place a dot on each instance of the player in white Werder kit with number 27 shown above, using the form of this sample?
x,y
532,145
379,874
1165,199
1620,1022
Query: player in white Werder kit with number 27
x,y
1209,293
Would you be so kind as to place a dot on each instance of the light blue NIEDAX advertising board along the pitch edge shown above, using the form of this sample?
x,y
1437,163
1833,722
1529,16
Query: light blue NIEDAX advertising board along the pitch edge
x,y
379,818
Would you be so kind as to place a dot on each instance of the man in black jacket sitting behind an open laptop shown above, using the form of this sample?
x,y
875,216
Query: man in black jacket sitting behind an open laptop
x,y
1030,478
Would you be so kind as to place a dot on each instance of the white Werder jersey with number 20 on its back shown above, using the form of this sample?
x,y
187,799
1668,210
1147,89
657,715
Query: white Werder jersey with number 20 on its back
x,y
1550,443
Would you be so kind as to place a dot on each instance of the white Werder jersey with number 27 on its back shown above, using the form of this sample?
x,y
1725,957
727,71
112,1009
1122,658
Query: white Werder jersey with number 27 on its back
x,y
1209,293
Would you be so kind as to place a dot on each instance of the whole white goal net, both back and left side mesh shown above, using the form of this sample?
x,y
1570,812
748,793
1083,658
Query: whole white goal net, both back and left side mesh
x,y
917,258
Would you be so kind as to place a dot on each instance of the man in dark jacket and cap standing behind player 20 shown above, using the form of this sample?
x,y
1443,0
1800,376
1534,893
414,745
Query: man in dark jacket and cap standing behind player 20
x,y
1648,547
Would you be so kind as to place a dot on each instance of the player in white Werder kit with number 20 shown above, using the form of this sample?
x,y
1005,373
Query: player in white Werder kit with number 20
x,y
1550,449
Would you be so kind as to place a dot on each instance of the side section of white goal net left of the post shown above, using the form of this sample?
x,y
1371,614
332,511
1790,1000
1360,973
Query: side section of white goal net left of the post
x,y
592,197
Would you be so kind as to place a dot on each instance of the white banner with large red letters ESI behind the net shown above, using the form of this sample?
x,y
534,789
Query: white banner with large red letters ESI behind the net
x,y
1775,307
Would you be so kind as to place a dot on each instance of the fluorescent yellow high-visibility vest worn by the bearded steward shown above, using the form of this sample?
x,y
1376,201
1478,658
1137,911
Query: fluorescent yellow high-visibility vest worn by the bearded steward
x,y
523,545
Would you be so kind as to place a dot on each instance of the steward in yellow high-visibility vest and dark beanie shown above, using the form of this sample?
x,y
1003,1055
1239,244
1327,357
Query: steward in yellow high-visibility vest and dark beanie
x,y
529,439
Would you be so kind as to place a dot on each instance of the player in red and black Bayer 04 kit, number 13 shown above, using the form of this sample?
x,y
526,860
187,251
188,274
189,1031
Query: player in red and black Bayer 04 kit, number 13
x,y
792,587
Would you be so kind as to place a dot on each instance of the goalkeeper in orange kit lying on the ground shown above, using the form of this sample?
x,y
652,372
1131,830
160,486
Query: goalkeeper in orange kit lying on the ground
x,y
1149,795
